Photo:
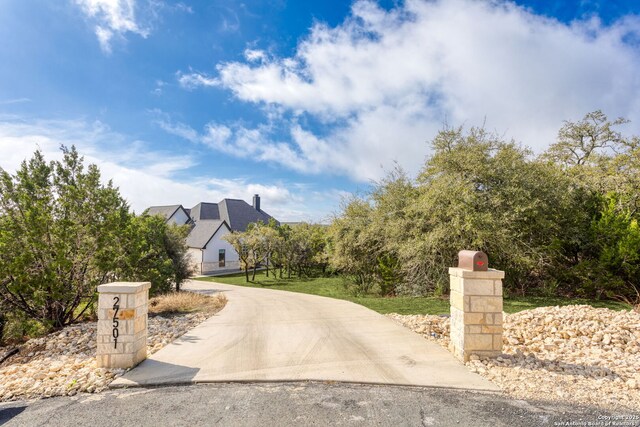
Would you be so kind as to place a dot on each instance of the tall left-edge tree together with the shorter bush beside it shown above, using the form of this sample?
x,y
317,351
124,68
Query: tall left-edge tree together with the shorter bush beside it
x,y
63,233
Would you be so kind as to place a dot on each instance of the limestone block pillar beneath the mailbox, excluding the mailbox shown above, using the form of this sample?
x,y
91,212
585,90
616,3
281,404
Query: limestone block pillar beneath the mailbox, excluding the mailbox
x,y
476,312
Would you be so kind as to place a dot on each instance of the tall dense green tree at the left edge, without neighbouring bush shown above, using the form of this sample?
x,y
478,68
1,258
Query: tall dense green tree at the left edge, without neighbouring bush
x,y
58,237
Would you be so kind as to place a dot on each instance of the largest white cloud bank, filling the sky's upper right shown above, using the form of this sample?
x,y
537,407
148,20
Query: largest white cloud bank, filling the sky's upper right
x,y
383,82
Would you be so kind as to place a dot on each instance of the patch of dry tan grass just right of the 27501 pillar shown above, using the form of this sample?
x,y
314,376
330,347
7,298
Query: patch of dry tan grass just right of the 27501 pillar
x,y
186,302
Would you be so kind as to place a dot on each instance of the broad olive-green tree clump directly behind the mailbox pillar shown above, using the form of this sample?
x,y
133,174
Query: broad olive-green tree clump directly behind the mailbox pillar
x,y
475,192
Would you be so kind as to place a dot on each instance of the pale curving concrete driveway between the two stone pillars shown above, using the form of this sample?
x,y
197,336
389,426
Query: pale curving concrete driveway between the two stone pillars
x,y
269,335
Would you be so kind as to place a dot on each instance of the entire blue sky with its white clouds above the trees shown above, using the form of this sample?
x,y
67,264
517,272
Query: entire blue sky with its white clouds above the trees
x,y
300,101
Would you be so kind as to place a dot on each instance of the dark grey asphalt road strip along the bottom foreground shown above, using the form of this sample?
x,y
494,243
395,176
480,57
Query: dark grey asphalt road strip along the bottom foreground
x,y
299,404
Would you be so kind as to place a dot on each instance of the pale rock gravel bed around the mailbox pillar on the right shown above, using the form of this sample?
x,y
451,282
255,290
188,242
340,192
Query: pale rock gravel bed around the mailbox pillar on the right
x,y
576,354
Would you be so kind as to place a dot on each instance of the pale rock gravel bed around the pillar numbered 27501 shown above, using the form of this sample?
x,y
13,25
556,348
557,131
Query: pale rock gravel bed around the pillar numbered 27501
x,y
64,363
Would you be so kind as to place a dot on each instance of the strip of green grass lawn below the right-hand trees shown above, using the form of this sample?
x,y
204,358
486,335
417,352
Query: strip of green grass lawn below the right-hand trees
x,y
333,287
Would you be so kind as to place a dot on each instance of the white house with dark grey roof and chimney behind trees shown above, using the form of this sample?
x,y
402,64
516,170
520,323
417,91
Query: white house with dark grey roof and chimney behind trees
x,y
209,223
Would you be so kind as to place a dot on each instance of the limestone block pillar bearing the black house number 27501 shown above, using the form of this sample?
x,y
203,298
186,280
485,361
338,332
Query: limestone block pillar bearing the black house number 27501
x,y
122,324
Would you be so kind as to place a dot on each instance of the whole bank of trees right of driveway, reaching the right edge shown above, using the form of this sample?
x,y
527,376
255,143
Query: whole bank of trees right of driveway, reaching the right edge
x,y
565,222
